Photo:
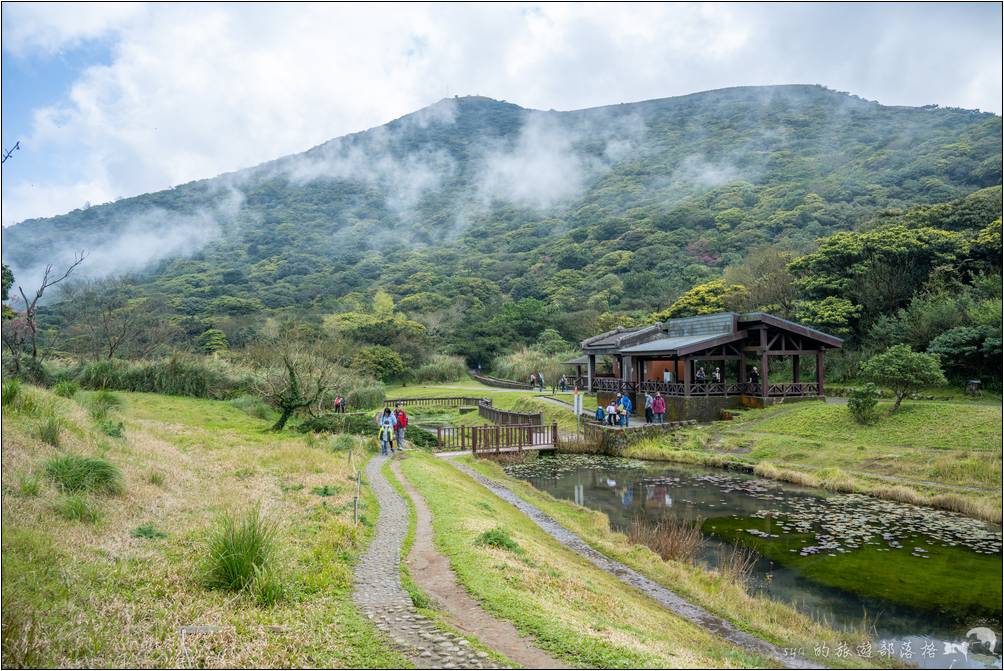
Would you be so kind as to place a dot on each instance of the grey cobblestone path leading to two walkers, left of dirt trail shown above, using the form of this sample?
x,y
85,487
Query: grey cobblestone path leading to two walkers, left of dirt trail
x,y
381,597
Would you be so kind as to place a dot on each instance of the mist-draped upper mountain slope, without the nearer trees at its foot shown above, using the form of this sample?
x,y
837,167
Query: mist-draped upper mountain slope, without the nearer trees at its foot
x,y
613,208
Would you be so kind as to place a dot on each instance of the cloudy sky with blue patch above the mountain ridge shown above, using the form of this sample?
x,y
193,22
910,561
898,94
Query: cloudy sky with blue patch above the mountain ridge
x,y
118,100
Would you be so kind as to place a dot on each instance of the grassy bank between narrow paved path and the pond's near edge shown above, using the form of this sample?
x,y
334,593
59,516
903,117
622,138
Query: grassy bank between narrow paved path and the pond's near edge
x,y
771,620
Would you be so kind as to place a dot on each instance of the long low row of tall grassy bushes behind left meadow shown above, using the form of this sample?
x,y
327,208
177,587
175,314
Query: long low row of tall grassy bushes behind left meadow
x,y
179,376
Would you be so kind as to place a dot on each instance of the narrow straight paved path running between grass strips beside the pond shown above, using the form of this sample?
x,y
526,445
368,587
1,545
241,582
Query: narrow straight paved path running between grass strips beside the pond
x,y
665,597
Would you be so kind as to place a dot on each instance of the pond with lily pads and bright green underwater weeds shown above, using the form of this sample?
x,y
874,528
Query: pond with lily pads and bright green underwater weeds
x,y
917,579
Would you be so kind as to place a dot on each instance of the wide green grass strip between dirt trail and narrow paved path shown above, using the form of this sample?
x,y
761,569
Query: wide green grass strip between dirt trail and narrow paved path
x,y
570,607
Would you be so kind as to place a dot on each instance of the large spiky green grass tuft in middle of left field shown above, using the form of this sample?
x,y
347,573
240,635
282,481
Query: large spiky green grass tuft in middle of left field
x,y
240,548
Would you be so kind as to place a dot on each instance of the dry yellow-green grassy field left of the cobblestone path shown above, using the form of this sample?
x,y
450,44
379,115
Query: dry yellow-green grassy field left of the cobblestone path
x,y
107,578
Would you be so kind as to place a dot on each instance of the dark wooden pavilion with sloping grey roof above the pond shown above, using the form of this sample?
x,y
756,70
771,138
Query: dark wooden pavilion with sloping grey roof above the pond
x,y
679,358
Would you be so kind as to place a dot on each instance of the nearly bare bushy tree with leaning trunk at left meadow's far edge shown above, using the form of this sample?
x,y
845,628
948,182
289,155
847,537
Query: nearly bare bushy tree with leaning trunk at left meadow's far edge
x,y
297,380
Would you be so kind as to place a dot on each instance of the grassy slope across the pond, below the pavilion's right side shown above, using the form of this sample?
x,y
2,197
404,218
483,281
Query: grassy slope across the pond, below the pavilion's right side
x,y
943,455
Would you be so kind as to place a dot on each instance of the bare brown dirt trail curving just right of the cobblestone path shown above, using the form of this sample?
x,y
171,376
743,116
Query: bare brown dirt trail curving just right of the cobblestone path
x,y
432,573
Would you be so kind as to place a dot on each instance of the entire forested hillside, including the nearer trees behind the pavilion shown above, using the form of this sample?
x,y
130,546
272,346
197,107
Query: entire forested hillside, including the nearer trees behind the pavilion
x,y
487,225
